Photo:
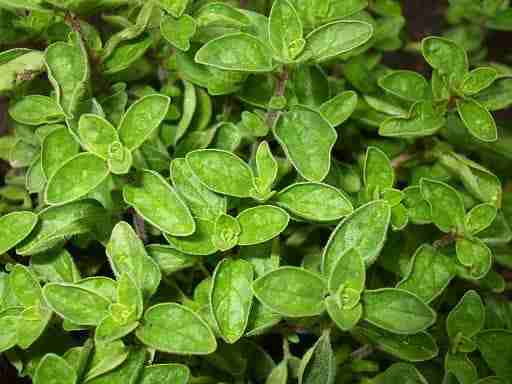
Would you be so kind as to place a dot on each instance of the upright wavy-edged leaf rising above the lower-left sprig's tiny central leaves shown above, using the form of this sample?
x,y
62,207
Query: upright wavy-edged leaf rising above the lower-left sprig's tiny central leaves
x,y
126,254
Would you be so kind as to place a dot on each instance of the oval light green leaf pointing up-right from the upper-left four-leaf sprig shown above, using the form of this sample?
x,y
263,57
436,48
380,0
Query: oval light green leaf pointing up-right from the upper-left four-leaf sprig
x,y
141,119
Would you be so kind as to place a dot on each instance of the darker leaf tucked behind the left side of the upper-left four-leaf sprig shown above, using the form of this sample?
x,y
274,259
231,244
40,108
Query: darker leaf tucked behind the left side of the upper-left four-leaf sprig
x,y
57,148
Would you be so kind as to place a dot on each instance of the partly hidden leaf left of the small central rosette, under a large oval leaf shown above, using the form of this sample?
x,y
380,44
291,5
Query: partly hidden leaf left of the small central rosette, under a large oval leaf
x,y
200,243
